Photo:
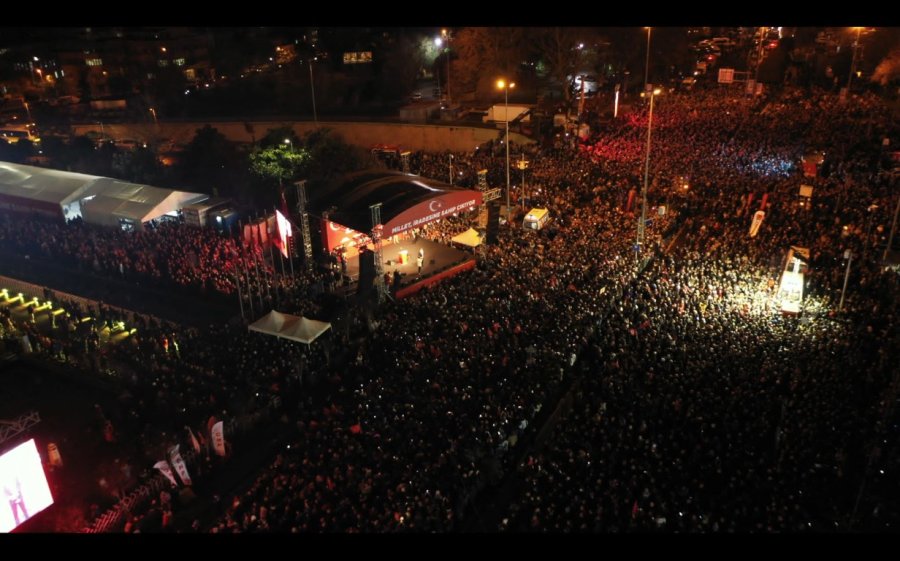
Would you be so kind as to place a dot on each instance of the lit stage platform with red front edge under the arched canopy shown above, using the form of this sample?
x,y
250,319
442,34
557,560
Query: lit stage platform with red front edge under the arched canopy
x,y
441,261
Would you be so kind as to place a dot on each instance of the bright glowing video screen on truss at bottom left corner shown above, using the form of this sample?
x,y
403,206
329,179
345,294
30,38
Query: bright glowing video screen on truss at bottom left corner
x,y
24,487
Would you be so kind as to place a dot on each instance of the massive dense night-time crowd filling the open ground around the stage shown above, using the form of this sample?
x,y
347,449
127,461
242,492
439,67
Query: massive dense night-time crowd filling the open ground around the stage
x,y
696,405
